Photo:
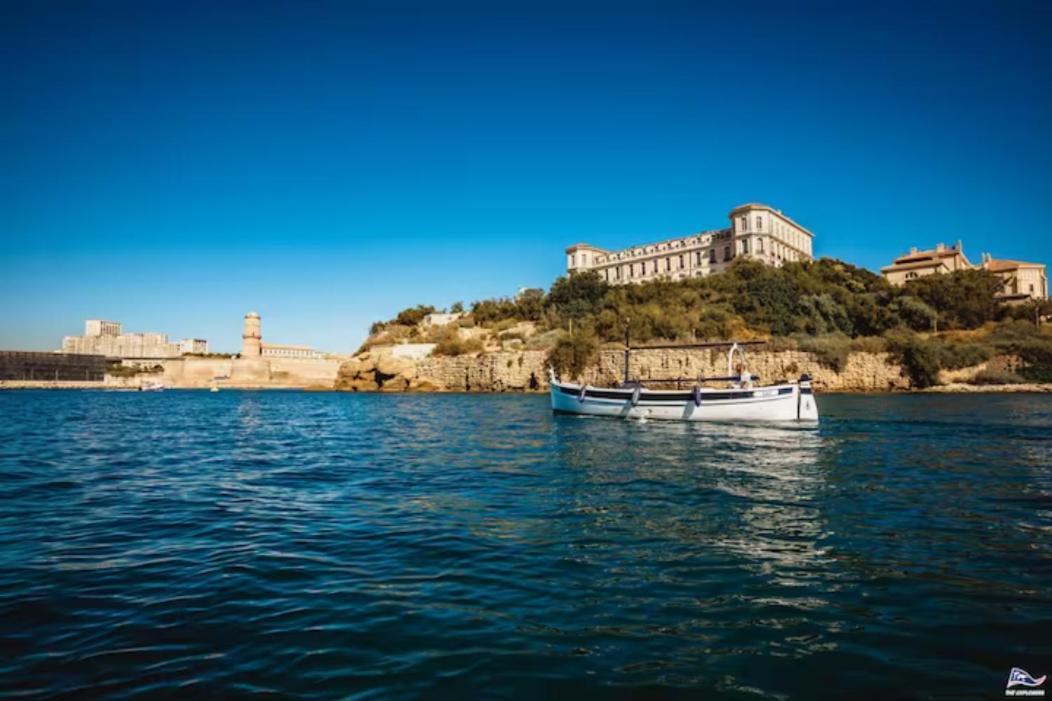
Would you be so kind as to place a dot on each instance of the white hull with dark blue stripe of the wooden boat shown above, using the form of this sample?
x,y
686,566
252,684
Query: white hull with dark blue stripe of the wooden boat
x,y
782,403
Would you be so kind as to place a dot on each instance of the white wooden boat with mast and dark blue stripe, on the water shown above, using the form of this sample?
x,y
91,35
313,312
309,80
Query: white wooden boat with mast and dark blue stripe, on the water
x,y
741,400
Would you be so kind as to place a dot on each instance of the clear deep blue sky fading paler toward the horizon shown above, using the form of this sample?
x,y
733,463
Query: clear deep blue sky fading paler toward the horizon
x,y
173,166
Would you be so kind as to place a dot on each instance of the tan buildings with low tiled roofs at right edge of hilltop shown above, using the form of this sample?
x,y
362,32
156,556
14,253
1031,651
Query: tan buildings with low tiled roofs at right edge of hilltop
x,y
1022,282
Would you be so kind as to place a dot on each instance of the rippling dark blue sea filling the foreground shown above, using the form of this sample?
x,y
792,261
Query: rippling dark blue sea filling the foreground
x,y
288,545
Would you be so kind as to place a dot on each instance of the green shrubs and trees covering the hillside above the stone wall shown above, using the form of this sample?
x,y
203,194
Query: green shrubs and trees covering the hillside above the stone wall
x,y
827,308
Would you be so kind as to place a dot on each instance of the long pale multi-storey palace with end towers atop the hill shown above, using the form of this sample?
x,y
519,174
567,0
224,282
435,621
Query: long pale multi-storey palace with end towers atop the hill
x,y
757,232
